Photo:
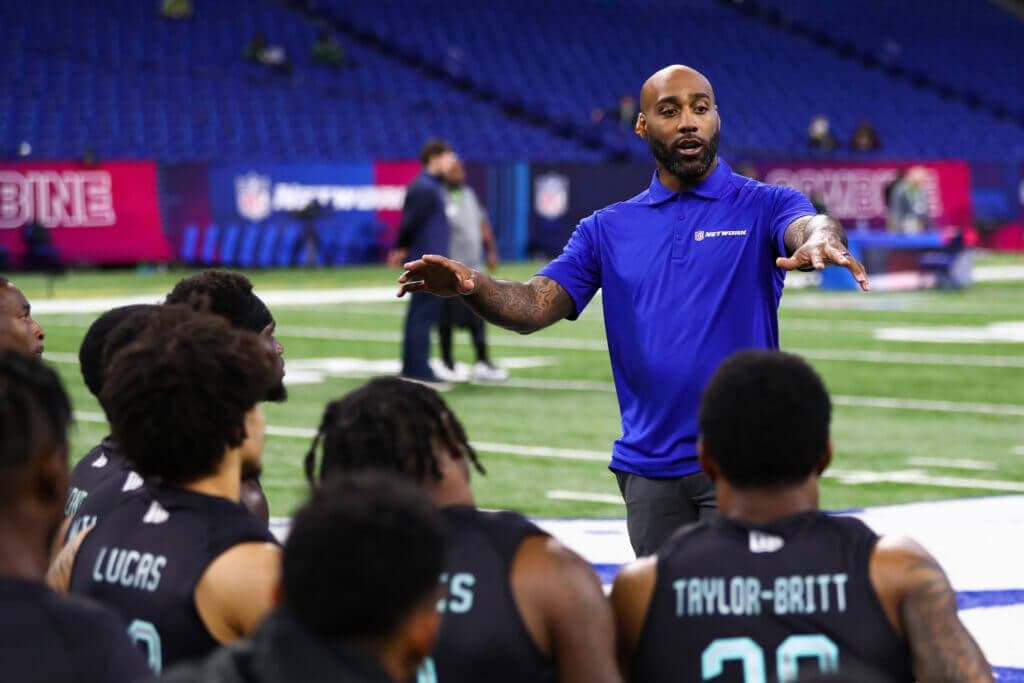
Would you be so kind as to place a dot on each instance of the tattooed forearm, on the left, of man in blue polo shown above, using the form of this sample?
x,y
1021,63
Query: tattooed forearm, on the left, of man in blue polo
x,y
523,308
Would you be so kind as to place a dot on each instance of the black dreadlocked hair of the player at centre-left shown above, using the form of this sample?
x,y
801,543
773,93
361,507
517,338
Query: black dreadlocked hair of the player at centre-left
x,y
389,424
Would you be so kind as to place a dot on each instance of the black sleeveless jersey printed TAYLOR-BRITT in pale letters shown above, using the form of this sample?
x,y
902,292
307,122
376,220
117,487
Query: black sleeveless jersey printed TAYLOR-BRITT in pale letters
x,y
739,604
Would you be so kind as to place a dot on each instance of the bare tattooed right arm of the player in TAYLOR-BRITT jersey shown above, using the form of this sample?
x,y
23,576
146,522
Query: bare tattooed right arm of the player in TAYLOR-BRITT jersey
x,y
922,607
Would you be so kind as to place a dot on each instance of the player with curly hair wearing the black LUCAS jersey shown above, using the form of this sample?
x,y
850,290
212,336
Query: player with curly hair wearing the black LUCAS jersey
x,y
181,559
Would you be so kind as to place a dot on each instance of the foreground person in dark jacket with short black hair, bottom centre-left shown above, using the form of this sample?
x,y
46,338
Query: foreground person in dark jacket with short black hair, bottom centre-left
x,y
359,592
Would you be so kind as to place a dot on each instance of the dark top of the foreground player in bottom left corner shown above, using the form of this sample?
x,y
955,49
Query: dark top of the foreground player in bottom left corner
x,y
51,638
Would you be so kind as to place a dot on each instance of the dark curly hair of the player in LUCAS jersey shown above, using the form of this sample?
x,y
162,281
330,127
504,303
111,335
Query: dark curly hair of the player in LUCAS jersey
x,y
178,397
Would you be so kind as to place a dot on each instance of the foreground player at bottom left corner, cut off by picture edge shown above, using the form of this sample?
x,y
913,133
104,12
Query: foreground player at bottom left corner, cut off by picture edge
x,y
45,637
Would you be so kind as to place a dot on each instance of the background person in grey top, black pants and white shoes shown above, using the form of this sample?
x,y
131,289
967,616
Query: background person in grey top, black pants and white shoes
x,y
472,239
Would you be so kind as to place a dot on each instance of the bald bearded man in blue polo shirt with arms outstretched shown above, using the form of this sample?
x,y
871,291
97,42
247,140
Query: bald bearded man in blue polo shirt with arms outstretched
x,y
692,271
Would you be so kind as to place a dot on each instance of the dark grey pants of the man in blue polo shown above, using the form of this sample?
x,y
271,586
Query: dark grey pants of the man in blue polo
x,y
656,508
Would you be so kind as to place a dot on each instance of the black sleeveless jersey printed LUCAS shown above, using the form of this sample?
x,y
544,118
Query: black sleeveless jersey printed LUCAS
x,y
146,558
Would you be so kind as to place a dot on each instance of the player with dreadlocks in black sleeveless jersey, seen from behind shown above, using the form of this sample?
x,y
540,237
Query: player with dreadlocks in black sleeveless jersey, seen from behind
x,y
521,607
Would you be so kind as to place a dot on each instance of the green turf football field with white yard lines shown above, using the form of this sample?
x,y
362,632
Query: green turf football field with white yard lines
x,y
915,420
